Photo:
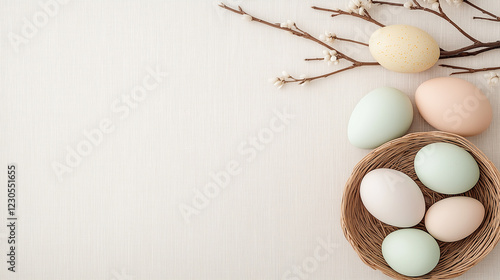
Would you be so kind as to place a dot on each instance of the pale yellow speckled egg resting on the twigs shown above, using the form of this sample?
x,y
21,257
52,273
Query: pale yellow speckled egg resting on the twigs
x,y
404,48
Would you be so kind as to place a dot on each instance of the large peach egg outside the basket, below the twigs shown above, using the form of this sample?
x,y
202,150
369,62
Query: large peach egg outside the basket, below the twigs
x,y
454,105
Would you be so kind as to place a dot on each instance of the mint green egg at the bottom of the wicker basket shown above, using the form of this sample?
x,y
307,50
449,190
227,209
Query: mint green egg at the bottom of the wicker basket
x,y
411,252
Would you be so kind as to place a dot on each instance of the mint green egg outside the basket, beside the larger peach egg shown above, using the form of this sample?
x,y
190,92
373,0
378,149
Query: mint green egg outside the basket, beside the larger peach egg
x,y
382,115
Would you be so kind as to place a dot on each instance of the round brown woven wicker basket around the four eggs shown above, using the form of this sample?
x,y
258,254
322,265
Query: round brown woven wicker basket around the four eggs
x,y
366,233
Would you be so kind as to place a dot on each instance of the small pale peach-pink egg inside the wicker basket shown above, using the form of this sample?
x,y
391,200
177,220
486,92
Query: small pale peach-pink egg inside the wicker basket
x,y
454,218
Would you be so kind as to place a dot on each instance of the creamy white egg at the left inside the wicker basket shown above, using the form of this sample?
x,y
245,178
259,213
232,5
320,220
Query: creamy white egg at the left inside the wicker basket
x,y
392,197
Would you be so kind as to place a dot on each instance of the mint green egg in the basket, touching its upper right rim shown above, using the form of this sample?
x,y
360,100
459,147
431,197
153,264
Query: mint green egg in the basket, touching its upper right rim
x,y
446,168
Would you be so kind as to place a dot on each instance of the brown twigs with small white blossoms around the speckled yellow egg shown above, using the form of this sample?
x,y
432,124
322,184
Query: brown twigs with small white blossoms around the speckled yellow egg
x,y
359,9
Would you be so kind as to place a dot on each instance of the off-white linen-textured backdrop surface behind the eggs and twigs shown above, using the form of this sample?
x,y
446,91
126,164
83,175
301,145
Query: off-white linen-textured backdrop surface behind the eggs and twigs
x,y
115,214
